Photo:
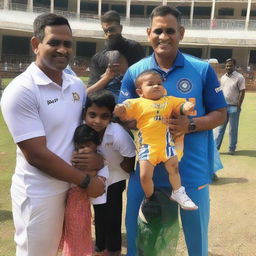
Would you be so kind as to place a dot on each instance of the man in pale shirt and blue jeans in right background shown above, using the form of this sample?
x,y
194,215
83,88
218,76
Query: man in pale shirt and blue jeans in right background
x,y
233,87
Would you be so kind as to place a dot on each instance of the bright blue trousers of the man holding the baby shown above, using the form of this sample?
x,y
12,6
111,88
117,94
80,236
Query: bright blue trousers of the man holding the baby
x,y
195,223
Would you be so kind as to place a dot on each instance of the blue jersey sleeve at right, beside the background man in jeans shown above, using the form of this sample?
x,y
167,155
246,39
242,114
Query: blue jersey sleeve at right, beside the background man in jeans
x,y
212,95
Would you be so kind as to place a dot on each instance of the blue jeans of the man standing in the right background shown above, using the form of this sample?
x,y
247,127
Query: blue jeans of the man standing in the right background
x,y
233,113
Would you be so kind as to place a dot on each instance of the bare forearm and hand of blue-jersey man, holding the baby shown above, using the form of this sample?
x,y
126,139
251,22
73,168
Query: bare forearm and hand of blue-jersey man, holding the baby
x,y
180,124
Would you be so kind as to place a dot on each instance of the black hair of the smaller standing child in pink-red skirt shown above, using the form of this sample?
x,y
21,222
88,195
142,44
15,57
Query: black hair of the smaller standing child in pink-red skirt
x,y
83,134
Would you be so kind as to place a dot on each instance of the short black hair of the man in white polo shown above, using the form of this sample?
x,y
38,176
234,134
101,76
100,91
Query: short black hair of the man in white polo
x,y
48,19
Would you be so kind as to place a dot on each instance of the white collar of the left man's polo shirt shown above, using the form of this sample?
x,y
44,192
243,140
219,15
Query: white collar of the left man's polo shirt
x,y
40,78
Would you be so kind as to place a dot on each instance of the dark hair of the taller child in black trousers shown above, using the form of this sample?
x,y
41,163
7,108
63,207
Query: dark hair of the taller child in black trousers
x,y
101,98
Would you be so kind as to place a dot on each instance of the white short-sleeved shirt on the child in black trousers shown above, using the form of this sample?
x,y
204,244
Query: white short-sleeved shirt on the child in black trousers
x,y
116,145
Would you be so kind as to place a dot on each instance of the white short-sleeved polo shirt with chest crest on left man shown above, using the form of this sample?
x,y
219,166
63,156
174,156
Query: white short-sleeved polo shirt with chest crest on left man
x,y
33,106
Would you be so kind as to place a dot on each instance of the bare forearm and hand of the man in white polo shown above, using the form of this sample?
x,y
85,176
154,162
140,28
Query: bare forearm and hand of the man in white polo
x,y
38,155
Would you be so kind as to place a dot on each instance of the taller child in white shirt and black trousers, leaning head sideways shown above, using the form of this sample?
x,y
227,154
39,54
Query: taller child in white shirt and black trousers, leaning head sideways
x,y
118,150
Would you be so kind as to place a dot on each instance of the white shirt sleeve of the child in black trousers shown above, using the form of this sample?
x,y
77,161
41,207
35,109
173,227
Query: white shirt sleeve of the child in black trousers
x,y
123,142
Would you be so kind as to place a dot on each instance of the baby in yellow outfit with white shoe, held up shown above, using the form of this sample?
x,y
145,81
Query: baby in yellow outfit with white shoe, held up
x,y
156,143
